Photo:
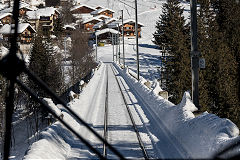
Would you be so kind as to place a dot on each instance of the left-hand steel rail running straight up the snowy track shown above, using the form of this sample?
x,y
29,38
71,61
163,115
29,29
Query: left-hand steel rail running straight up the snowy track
x,y
105,134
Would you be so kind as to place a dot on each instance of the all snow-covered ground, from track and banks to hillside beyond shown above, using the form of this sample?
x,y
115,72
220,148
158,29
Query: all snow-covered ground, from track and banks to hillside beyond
x,y
167,130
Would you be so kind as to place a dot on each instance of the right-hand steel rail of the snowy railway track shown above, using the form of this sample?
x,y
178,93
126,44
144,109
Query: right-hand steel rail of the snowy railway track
x,y
141,144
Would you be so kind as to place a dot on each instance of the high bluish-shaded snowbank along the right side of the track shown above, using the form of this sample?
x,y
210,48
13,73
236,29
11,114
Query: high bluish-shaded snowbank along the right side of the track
x,y
201,136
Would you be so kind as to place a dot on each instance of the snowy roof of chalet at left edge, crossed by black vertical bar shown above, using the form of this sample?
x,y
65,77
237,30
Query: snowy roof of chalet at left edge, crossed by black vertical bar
x,y
7,28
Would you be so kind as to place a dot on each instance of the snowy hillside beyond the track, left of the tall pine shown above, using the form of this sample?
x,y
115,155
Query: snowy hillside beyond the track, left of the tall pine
x,y
148,14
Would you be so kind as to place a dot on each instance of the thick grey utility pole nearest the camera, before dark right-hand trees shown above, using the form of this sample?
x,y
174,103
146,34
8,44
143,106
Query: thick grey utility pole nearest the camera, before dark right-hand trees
x,y
195,54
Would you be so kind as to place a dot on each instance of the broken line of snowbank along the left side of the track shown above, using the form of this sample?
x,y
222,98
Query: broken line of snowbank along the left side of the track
x,y
56,142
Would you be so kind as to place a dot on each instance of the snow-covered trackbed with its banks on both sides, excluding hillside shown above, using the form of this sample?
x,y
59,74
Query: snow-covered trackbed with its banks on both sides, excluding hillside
x,y
167,130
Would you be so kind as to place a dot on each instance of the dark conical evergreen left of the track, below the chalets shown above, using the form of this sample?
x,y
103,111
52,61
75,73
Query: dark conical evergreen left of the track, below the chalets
x,y
43,62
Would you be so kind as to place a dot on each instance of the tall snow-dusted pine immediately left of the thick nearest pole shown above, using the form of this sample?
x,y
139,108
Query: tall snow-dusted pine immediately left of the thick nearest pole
x,y
173,35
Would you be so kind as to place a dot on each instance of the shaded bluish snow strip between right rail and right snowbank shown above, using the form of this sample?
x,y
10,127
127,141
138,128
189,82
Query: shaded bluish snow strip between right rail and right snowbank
x,y
169,147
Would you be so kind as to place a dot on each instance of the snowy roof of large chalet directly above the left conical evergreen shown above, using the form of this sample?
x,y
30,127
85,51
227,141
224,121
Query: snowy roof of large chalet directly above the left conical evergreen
x,y
44,12
